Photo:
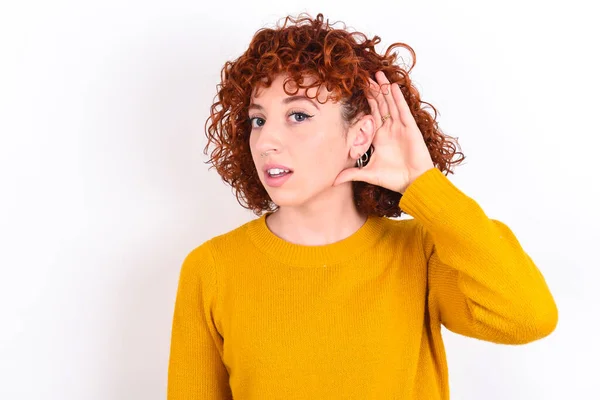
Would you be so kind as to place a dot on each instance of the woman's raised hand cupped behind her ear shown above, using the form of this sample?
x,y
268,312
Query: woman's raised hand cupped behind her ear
x,y
400,154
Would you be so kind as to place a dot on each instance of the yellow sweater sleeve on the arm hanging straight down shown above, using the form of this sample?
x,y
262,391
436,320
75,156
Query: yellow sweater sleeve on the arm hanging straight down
x,y
196,370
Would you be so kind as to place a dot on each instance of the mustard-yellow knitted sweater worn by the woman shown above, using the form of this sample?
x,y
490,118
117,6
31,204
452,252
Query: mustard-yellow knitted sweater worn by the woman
x,y
259,318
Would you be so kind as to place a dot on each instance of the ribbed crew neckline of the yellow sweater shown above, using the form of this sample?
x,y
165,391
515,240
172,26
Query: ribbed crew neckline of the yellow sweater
x,y
314,255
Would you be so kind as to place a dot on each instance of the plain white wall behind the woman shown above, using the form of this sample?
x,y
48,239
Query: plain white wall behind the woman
x,y
105,190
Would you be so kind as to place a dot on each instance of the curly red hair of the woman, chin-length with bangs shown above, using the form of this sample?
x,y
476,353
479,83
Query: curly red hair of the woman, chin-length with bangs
x,y
342,61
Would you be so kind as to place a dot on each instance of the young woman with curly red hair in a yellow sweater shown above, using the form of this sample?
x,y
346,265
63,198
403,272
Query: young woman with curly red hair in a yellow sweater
x,y
324,295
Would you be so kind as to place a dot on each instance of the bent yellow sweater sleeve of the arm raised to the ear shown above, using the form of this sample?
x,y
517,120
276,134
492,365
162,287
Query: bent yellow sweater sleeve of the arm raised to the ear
x,y
481,282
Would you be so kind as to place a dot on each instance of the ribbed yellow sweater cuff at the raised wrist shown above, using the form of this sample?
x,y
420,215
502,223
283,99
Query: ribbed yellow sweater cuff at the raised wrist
x,y
430,194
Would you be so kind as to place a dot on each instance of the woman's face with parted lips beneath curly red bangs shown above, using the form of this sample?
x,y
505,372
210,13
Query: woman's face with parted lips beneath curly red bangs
x,y
305,143
